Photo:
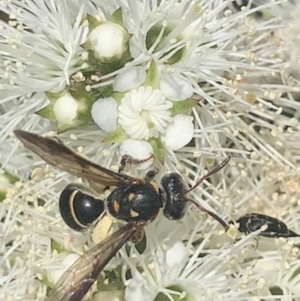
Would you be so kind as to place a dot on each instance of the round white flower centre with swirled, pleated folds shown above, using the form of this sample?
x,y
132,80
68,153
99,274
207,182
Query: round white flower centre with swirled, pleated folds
x,y
144,113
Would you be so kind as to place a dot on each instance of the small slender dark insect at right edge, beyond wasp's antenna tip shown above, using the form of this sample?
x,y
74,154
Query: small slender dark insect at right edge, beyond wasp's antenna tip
x,y
251,222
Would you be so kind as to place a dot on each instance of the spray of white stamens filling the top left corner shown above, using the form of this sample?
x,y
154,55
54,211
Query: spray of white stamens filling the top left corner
x,y
41,64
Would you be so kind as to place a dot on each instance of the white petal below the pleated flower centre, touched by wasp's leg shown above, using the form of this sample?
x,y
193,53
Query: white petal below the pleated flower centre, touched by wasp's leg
x,y
137,149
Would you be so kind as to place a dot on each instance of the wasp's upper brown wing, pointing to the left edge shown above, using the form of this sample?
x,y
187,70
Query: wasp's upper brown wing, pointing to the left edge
x,y
57,154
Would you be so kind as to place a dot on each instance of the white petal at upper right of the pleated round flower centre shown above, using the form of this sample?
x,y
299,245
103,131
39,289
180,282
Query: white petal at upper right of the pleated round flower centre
x,y
176,87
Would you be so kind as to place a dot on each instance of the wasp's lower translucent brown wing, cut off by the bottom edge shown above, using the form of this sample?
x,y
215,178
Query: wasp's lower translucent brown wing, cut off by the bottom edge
x,y
76,281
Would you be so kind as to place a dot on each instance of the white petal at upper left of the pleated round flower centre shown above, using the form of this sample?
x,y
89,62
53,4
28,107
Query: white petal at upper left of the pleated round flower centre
x,y
129,79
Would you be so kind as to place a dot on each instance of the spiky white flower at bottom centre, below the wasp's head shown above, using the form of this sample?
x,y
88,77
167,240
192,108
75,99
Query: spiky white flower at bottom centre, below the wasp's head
x,y
175,270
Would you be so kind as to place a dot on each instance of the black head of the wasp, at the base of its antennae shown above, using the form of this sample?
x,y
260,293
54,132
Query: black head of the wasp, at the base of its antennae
x,y
175,201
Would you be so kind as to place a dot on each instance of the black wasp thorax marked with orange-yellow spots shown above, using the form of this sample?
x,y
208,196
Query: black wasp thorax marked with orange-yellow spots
x,y
139,202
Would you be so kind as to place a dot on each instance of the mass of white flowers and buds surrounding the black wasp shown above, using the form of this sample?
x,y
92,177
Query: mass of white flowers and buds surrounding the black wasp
x,y
177,85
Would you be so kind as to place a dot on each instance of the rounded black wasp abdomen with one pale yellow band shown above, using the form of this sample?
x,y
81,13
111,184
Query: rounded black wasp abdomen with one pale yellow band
x,y
79,209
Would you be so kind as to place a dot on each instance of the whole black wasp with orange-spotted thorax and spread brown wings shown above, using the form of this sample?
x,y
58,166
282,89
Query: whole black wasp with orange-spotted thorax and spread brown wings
x,y
136,201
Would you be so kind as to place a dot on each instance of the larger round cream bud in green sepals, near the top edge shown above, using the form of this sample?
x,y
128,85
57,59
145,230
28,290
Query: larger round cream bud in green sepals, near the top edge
x,y
108,40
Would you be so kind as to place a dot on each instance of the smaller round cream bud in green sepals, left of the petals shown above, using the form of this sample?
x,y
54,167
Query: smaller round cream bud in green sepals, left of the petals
x,y
65,109
